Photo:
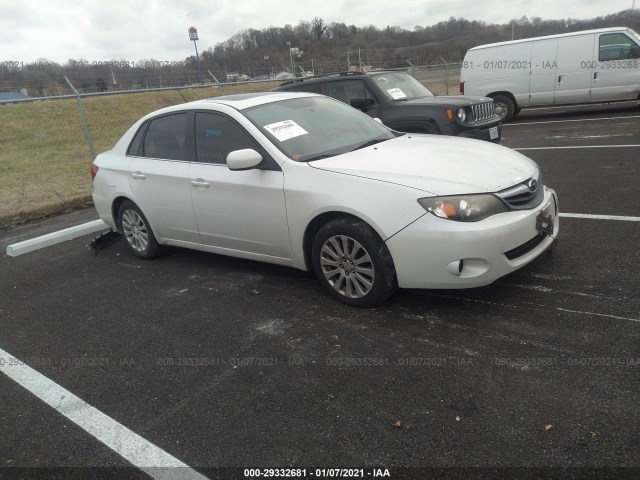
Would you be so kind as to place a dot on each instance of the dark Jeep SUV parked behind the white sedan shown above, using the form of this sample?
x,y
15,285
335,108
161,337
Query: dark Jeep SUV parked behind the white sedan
x,y
404,104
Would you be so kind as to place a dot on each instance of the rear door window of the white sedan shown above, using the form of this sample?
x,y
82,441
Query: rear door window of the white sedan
x,y
166,137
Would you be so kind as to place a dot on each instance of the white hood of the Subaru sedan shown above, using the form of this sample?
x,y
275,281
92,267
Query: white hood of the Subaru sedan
x,y
435,164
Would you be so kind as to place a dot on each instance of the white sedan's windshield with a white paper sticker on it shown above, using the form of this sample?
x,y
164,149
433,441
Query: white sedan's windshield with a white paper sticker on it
x,y
311,128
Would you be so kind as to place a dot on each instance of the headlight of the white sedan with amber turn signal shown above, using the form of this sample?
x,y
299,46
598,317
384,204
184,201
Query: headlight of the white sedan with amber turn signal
x,y
464,208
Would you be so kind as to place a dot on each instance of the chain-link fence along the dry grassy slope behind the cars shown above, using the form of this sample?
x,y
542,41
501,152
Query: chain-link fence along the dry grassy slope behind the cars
x,y
45,157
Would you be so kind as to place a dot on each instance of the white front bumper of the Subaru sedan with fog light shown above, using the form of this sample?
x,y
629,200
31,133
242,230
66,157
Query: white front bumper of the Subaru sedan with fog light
x,y
428,252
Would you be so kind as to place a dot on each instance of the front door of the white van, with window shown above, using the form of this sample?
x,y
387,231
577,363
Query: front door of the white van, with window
x,y
617,72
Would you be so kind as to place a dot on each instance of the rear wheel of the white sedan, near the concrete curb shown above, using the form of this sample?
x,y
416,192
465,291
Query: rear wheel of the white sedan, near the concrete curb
x,y
137,233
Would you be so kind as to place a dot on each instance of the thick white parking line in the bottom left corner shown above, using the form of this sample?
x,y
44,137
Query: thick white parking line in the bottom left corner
x,y
144,455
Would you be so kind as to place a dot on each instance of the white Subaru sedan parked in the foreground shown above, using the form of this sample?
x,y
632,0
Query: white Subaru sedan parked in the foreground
x,y
303,180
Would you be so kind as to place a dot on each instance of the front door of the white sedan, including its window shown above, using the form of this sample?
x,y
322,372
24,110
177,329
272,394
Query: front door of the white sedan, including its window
x,y
236,210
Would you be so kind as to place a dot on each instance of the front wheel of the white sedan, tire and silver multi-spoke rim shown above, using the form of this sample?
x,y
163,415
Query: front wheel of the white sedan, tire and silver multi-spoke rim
x,y
353,263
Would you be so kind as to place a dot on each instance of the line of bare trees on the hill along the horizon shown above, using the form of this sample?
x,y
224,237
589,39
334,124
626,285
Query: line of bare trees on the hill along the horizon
x,y
310,46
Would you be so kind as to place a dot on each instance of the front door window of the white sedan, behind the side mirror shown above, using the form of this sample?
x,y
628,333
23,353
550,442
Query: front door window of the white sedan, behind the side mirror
x,y
217,136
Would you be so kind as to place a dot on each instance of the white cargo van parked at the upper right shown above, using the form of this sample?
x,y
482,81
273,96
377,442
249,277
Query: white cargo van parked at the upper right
x,y
592,66
